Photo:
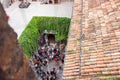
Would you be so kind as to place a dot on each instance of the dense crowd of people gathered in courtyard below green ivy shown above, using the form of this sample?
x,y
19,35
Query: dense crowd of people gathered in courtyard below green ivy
x,y
43,58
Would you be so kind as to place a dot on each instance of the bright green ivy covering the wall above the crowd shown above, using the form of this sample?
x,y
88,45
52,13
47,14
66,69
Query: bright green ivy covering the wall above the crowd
x,y
30,36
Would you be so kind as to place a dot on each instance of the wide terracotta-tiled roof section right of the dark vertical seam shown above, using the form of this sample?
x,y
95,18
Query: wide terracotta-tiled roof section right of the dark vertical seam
x,y
101,40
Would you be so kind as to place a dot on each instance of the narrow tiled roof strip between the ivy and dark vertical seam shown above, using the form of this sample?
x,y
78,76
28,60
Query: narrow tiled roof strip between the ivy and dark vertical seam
x,y
72,60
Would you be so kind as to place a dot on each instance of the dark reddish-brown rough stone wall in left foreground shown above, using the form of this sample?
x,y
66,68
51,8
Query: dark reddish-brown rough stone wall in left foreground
x,y
13,64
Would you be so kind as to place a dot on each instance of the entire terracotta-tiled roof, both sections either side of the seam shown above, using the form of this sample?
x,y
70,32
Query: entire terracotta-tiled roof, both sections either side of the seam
x,y
98,31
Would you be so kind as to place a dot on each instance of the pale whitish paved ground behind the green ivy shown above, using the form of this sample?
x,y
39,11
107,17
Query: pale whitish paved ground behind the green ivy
x,y
19,18
